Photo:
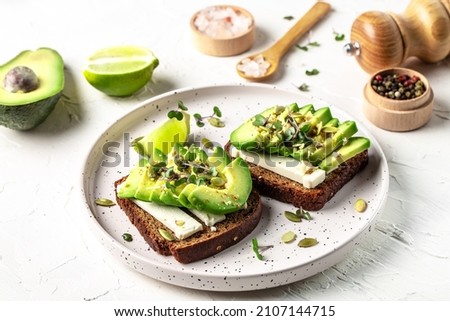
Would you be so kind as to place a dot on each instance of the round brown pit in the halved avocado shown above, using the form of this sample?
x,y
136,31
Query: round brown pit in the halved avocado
x,y
21,79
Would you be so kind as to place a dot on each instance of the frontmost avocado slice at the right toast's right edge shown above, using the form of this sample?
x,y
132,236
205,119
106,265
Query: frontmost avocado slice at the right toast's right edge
x,y
353,147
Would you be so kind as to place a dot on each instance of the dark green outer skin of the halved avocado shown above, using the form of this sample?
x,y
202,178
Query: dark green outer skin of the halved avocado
x,y
29,116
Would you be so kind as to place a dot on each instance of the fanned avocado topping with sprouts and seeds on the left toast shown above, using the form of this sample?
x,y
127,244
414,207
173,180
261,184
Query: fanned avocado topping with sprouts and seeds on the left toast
x,y
192,178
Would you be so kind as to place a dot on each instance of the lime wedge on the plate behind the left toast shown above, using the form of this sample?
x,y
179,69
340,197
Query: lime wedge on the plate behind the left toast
x,y
162,139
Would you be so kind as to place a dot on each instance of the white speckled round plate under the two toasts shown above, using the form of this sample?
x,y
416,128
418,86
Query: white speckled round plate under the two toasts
x,y
337,227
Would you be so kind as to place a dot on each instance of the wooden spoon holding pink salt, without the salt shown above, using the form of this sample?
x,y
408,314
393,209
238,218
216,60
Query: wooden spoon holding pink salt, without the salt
x,y
274,54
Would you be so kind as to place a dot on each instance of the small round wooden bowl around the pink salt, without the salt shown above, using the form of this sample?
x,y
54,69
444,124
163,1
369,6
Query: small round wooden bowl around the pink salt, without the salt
x,y
221,45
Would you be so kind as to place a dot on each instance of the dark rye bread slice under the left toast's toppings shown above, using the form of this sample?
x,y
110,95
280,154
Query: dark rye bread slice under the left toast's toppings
x,y
202,244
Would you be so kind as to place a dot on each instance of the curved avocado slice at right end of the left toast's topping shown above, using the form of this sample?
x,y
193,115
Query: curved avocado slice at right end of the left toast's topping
x,y
229,199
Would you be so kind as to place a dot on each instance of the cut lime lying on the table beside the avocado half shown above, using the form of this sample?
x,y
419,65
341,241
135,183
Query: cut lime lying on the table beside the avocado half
x,y
120,70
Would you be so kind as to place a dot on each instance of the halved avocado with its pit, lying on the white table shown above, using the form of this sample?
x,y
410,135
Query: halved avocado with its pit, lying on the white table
x,y
30,86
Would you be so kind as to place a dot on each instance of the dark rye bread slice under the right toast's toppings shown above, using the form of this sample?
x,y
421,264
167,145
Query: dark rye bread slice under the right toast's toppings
x,y
286,190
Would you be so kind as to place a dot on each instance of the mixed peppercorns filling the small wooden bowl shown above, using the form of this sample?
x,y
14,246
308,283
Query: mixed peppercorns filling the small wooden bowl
x,y
399,87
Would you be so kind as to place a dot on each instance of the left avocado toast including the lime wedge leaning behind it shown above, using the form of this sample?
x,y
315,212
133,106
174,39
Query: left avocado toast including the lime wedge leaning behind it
x,y
187,201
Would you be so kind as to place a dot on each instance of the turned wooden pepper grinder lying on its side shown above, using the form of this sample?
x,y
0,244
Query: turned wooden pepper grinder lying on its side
x,y
381,40
